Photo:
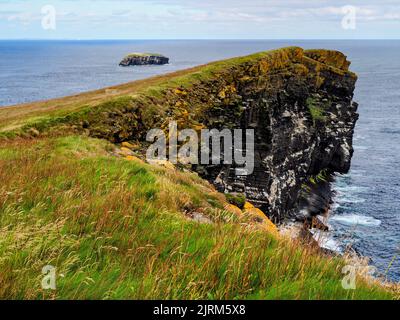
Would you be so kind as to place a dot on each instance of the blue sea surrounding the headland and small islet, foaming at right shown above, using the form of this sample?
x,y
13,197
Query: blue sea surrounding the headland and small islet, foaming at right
x,y
367,211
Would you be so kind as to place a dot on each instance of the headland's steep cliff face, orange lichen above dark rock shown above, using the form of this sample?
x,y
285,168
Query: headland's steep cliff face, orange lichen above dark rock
x,y
298,102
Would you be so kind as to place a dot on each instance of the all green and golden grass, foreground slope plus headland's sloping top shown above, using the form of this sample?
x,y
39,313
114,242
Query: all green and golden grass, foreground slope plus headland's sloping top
x,y
118,228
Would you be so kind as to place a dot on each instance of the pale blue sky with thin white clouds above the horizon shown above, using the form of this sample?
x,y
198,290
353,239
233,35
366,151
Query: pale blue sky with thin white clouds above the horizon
x,y
199,19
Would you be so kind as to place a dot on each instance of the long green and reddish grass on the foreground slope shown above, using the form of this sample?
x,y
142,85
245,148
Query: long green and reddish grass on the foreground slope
x,y
116,229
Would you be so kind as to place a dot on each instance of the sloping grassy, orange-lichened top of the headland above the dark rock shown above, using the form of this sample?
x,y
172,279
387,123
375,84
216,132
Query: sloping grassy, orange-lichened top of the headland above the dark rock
x,y
158,97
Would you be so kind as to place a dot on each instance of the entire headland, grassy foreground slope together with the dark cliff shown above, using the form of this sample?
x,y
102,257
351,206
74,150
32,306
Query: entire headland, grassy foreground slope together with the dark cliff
x,y
76,192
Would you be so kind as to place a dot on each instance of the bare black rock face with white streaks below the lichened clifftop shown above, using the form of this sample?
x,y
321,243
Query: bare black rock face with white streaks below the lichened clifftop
x,y
303,125
